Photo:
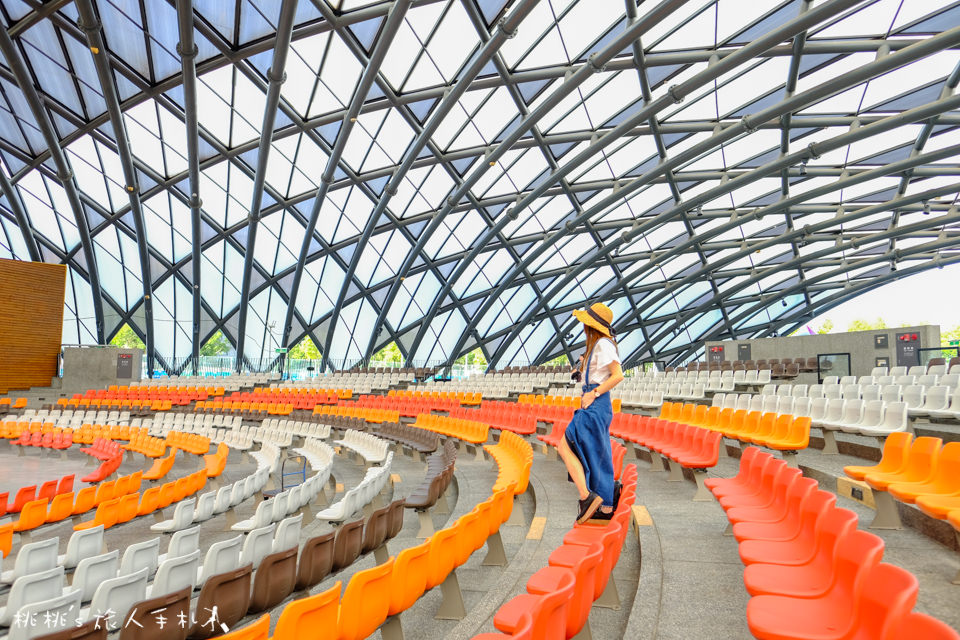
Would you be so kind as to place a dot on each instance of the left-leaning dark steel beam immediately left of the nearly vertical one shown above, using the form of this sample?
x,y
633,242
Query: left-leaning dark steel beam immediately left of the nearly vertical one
x,y
90,24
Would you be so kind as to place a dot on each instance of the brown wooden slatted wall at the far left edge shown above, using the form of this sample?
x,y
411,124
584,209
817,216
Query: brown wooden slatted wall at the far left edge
x,y
31,322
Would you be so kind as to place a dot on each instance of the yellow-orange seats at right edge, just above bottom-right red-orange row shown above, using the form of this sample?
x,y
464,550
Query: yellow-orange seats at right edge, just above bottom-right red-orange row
x,y
921,471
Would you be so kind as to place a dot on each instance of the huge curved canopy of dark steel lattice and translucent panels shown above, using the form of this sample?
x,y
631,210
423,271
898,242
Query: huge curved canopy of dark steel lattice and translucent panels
x,y
454,174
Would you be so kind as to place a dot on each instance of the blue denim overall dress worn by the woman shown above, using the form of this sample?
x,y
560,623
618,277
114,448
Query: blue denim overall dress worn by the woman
x,y
588,436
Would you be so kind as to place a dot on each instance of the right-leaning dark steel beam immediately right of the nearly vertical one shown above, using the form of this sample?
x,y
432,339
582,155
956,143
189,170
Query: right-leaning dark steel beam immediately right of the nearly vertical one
x,y
276,75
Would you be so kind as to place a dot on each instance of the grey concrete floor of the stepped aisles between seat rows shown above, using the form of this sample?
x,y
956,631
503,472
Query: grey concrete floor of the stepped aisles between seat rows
x,y
688,585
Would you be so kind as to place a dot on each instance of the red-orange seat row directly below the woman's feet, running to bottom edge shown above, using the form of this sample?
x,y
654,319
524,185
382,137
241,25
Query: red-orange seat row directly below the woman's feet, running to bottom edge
x,y
559,596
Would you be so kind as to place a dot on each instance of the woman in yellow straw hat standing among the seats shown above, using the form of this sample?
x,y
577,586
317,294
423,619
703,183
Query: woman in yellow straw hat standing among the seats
x,y
585,448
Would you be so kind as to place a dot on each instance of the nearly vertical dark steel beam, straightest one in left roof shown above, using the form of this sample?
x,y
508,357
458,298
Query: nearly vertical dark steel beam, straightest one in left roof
x,y
187,49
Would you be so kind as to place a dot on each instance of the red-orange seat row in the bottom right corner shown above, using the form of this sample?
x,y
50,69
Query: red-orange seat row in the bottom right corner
x,y
811,573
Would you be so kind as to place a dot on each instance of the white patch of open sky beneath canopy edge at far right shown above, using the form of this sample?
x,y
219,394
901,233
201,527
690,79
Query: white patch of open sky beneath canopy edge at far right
x,y
925,298
